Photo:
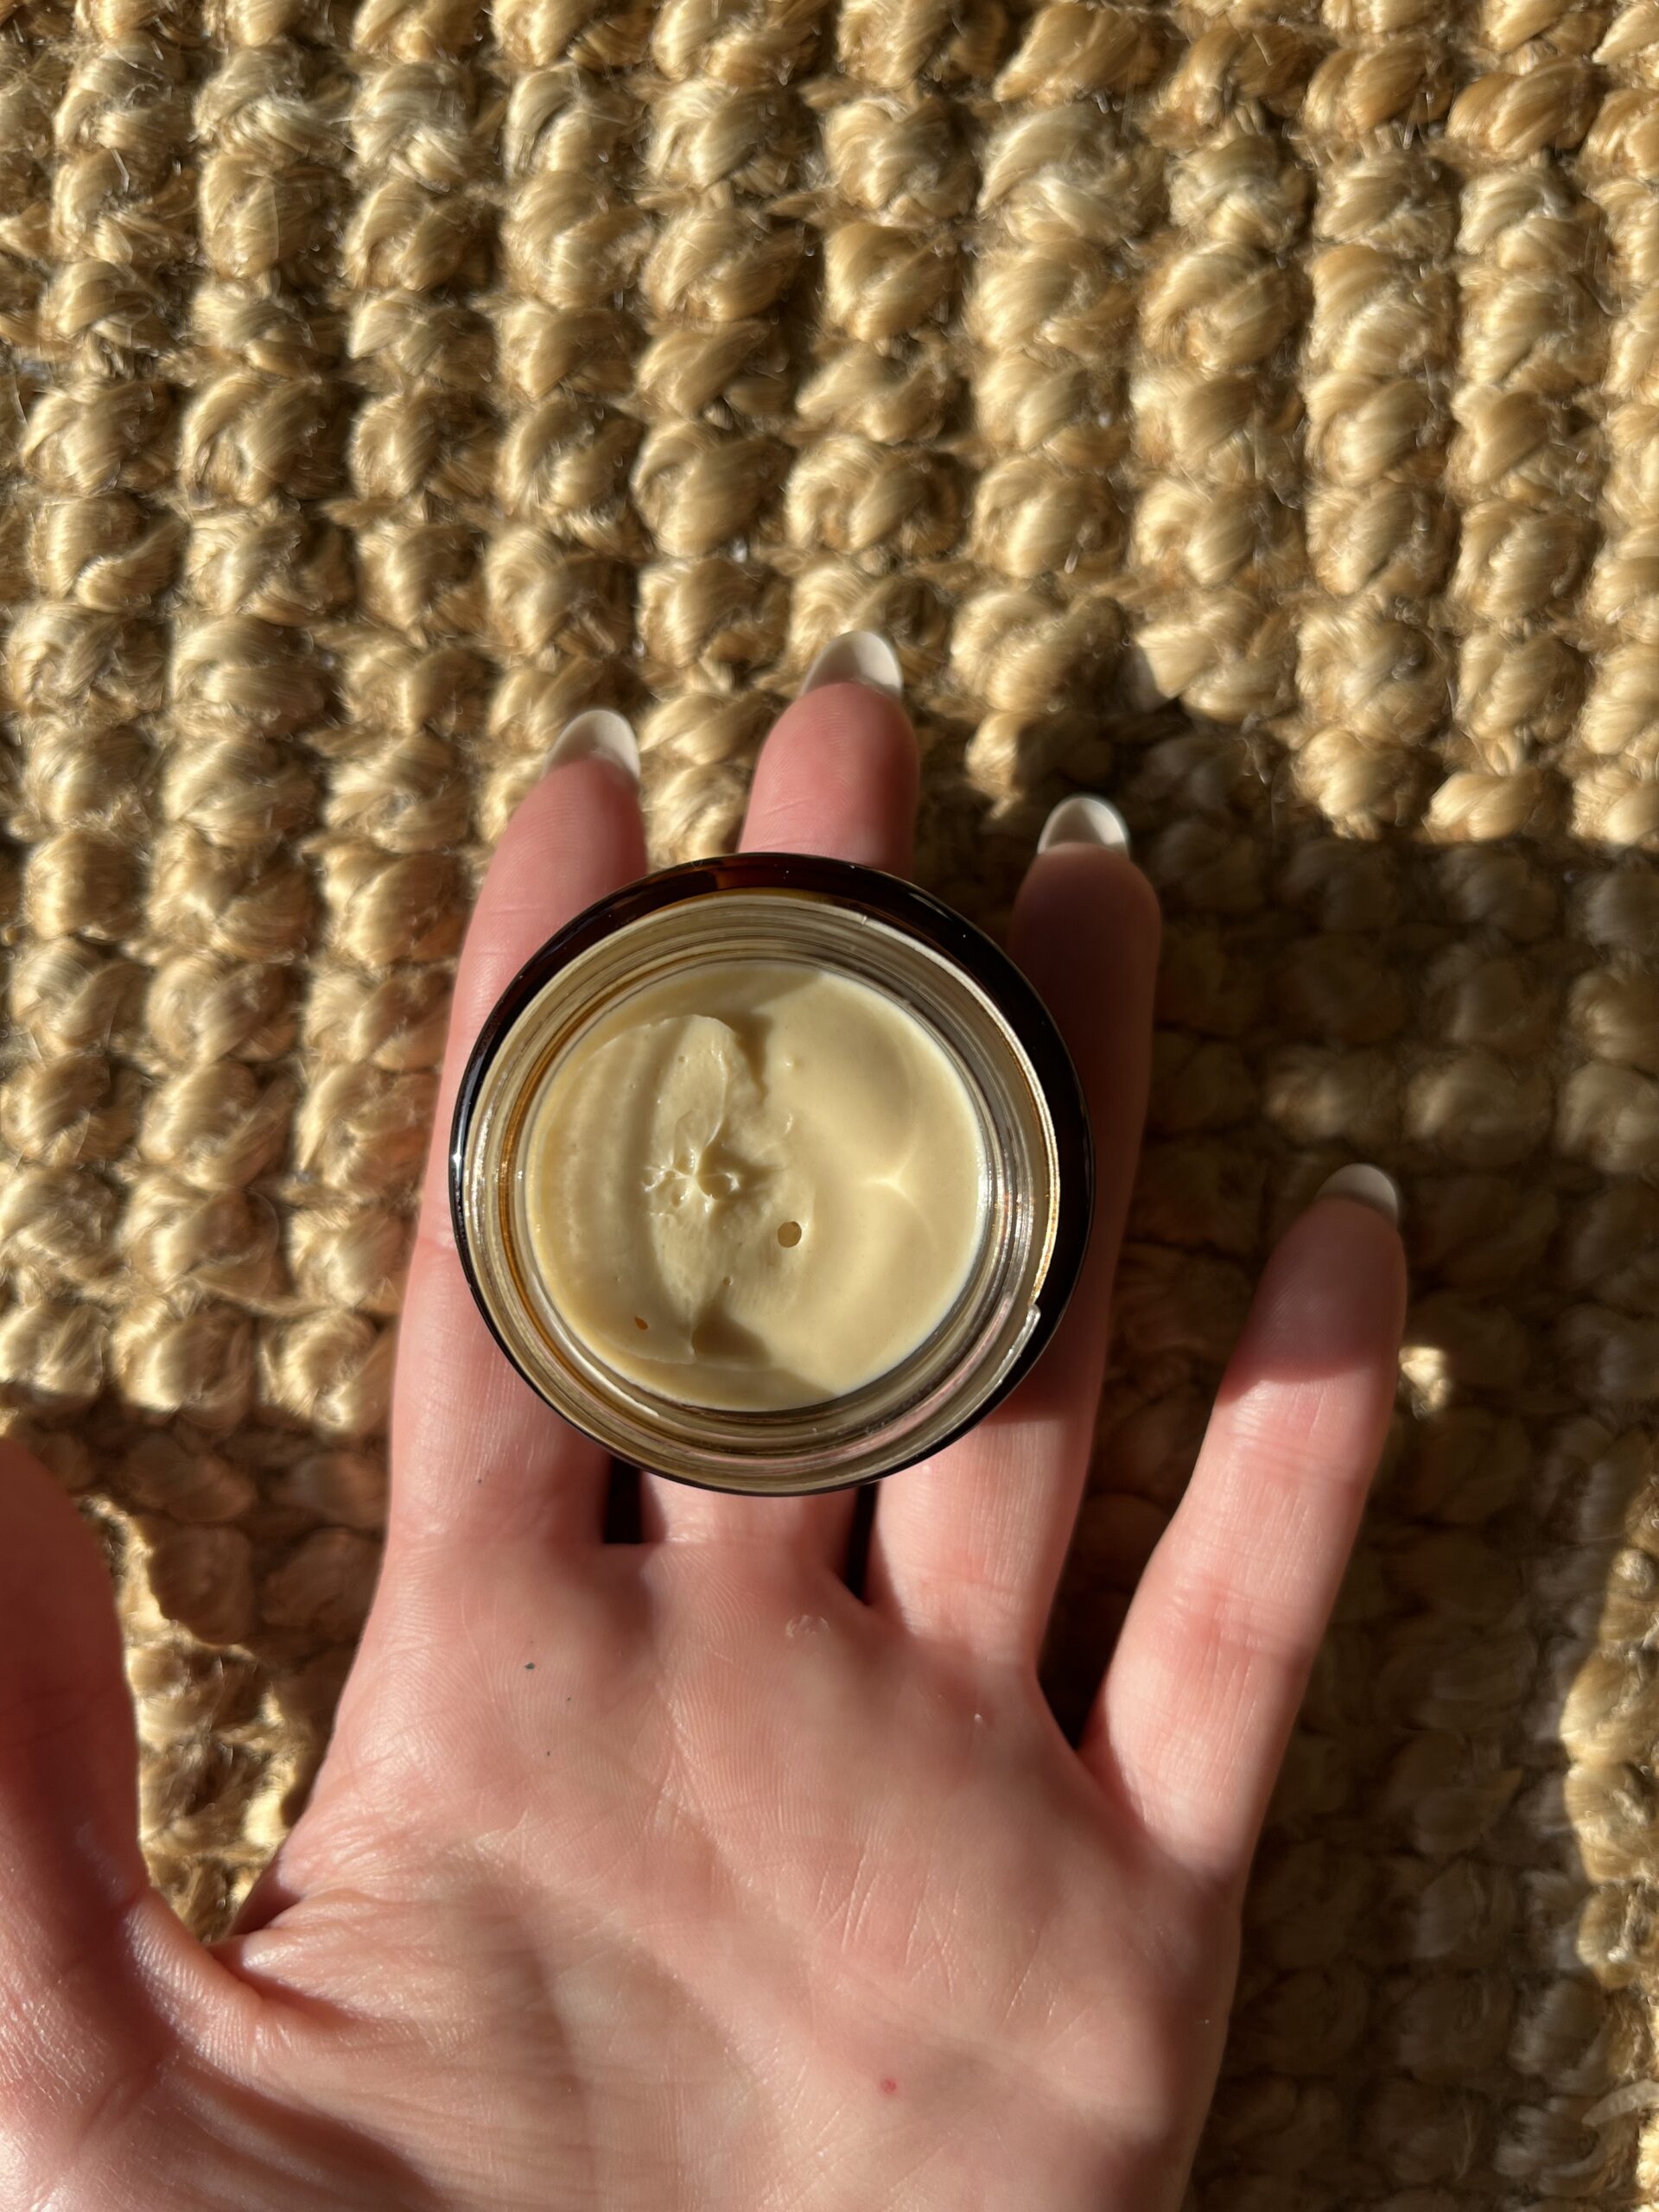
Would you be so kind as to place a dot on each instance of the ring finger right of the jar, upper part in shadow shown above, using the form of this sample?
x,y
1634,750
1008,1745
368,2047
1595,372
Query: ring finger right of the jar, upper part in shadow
x,y
968,1547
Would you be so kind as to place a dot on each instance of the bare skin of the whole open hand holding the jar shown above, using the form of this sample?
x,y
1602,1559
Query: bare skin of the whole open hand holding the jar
x,y
676,1875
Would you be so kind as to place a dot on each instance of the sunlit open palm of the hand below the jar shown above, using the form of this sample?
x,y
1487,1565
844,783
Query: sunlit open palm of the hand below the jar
x,y
762,1890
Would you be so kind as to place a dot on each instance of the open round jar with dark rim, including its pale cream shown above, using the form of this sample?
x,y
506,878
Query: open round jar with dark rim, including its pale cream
x,y
753,1039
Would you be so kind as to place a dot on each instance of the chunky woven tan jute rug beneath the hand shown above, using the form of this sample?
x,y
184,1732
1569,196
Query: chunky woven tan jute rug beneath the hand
x,y
1251,413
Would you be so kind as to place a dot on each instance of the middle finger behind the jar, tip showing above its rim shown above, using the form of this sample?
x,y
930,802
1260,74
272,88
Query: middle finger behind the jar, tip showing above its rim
x,y
837,778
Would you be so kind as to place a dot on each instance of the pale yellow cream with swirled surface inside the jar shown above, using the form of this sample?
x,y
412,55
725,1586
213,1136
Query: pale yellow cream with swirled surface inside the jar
x,y
755,1185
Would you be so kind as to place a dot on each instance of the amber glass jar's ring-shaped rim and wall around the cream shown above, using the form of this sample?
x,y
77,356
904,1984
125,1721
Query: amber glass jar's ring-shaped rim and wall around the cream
x,y
979,1010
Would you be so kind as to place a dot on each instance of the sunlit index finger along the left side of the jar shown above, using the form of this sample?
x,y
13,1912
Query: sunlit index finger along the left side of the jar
x,y
477,1457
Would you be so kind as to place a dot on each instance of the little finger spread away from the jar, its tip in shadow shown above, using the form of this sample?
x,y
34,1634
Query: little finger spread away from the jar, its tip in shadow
x,y
1222,1634
